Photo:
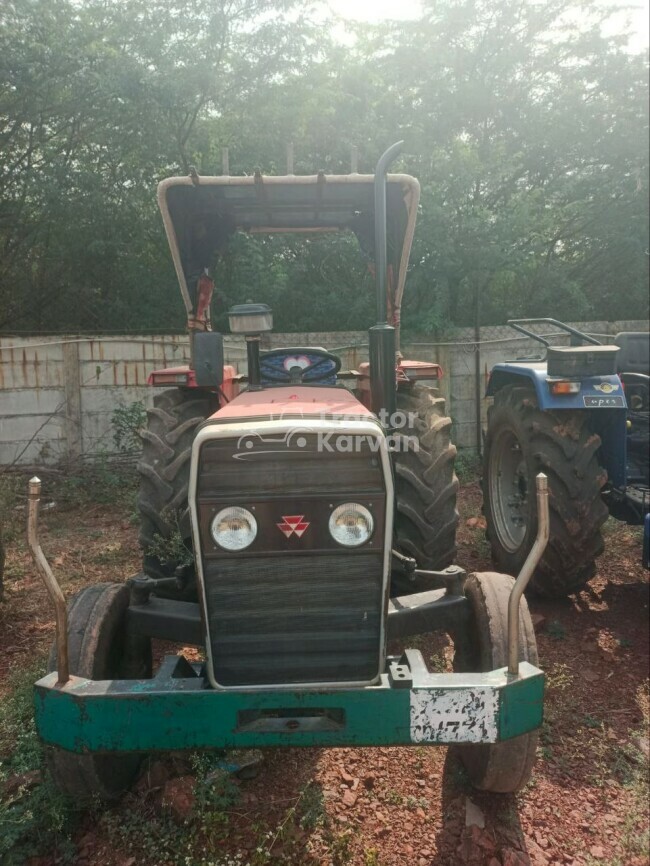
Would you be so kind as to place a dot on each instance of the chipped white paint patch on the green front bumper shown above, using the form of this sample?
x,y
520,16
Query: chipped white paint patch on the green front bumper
x,y
468,715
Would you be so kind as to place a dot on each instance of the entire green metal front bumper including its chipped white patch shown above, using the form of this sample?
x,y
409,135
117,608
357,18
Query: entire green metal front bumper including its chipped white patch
x,y
177,710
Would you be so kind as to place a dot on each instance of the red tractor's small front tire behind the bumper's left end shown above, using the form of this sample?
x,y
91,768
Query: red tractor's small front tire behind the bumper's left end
x,y
99,649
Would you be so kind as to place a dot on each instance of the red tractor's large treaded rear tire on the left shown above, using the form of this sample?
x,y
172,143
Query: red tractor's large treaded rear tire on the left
x,y
164,469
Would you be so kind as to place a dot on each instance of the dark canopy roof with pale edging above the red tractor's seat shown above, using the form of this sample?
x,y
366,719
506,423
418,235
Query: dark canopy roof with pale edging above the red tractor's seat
x,y
201,214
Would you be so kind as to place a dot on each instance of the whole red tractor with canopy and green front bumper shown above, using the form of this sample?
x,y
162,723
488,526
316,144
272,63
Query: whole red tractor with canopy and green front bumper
x,y
282,515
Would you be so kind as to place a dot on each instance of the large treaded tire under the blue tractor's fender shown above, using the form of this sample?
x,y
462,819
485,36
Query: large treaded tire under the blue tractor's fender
x,y
522,440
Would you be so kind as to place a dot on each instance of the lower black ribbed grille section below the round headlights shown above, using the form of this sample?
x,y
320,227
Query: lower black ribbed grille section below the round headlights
x,y
297,619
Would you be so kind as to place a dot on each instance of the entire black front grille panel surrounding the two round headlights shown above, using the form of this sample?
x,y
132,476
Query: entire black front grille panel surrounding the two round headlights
x,y
291,610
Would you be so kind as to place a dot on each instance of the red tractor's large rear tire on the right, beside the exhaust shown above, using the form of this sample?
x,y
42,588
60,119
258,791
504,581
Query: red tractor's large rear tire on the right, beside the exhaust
x,y
426,486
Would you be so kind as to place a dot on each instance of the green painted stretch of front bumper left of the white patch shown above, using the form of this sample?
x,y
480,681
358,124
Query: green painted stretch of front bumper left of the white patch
x,y
132,720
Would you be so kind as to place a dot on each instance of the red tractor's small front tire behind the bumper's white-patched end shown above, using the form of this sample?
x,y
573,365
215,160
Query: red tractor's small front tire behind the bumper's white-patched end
x,y
506,767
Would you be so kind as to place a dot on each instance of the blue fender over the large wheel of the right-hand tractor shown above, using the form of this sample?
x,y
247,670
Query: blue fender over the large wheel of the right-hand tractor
x,y
603,397
